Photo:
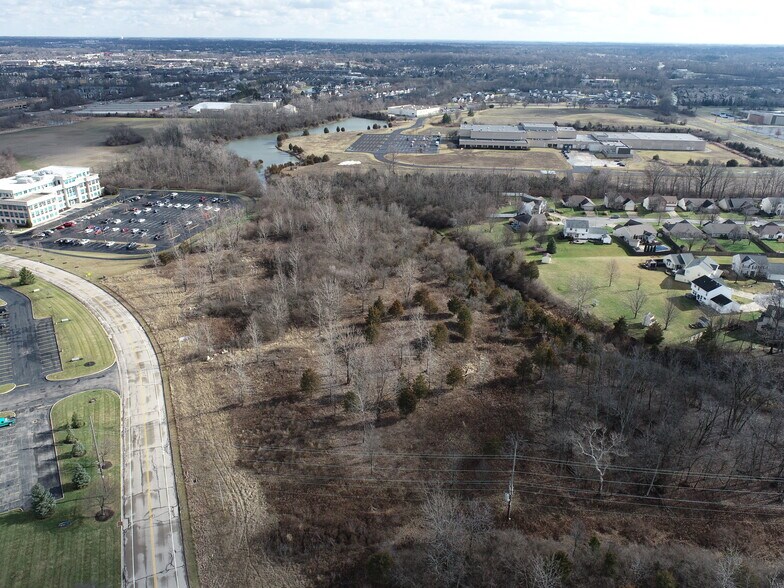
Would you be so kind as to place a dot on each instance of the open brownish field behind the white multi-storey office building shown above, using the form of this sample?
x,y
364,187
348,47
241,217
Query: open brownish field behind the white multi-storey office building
x,y
80,143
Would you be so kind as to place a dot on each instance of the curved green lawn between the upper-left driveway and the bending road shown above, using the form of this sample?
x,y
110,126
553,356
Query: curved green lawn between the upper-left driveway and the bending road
x,y
80,336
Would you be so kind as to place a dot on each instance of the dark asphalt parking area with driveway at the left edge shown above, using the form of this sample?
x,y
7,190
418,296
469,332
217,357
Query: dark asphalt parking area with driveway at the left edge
x,y
28,352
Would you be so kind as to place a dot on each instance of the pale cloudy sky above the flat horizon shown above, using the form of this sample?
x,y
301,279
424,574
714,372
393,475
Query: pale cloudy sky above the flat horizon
x,y
625,21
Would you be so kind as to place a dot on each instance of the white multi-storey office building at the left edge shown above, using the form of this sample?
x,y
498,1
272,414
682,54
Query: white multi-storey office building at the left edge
x,y
31,198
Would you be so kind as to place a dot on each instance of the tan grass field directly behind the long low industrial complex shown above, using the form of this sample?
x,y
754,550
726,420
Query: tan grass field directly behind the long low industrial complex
x,y
564,116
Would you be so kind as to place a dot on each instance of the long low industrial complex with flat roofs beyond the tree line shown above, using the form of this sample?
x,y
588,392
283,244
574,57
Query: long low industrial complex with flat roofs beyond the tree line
x,y
527,135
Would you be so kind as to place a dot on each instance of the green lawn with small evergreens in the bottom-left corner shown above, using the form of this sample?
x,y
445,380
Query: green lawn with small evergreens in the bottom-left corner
x,y
87,552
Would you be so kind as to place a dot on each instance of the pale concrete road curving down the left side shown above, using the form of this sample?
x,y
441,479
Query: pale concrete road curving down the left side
x,y
152,549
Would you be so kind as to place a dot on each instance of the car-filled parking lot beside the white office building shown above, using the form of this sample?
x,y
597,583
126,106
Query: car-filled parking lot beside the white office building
x,y
136,221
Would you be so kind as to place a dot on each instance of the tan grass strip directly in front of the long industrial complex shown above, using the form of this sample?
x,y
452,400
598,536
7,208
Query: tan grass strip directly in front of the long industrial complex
x,y
535,159
